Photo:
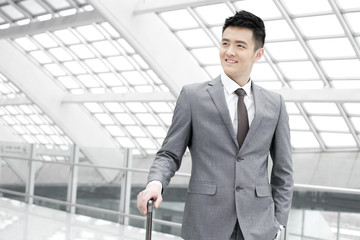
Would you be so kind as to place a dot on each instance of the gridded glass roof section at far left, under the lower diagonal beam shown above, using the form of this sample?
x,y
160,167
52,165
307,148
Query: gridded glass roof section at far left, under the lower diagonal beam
x,y
28,121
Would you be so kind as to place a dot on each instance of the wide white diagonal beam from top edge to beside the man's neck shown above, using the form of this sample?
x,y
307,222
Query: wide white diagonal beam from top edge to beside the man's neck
x,y
149,36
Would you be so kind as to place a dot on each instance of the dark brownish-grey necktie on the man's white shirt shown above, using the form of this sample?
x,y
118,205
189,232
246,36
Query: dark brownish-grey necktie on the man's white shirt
x,y
243,121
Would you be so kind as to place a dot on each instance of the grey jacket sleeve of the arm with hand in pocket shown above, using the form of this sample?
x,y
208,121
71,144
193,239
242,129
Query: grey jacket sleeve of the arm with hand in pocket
x,y
282,172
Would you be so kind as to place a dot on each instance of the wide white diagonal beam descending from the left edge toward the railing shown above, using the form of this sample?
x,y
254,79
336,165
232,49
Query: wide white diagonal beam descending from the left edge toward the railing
x,y
93,140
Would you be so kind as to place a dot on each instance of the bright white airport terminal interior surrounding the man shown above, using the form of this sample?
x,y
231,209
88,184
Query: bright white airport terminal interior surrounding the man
x,y
87,94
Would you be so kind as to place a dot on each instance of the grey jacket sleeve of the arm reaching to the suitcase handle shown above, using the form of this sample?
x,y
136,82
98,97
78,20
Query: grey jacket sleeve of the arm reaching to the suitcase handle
x,y
168,159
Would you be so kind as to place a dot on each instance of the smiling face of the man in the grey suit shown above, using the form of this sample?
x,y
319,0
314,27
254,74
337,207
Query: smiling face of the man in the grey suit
x,y
237,53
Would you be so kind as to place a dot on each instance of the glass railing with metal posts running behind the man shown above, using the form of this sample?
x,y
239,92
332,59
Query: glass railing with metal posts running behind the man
x,y
318,213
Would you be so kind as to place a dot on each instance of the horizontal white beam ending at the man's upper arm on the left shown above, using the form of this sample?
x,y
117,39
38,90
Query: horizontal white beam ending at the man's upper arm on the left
x,y
119,97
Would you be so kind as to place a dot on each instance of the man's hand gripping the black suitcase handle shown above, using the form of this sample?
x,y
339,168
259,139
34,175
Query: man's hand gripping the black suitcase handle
x,y
152,191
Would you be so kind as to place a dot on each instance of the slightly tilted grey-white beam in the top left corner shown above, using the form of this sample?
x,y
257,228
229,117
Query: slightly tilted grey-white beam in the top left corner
x,y
79,19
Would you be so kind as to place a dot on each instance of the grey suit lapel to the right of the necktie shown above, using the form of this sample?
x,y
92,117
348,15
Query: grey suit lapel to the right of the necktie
x,y
259,101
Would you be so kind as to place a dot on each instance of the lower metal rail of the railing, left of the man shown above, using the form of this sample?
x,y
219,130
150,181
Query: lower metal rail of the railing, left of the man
x,y
95,209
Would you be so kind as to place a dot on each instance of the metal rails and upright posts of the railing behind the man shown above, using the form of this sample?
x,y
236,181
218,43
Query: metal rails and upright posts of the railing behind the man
x,y
123,214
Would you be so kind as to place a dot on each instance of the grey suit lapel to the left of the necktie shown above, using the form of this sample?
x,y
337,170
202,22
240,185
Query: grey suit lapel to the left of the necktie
x,y
216,91
